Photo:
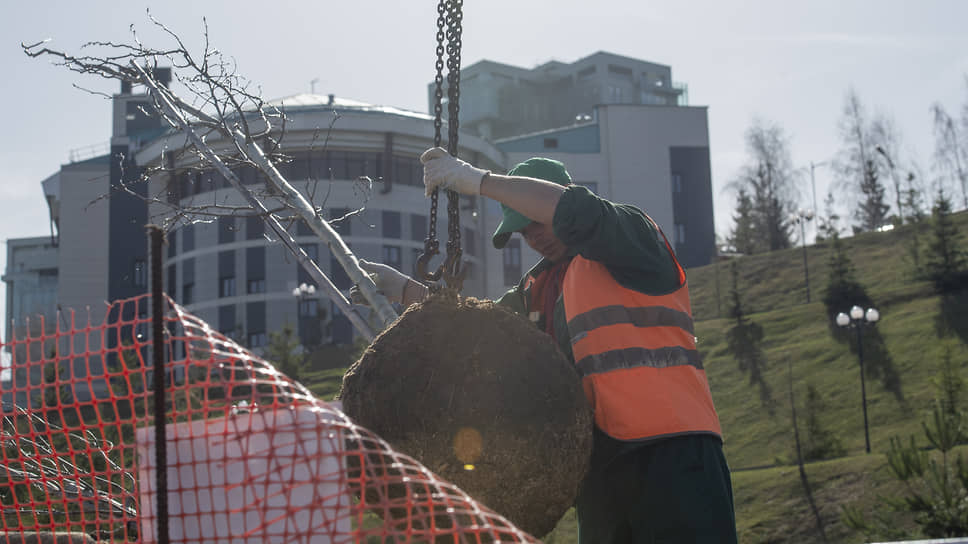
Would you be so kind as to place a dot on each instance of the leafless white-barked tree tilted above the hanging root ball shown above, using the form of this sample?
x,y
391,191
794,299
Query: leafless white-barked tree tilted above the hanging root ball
x,y
227,127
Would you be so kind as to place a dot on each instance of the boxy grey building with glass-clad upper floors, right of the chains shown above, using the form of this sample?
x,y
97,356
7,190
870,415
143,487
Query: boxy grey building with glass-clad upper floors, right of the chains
x,y
620,126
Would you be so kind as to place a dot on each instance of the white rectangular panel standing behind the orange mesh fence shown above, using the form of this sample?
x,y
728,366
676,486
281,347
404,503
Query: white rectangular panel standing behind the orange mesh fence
x,y
273,476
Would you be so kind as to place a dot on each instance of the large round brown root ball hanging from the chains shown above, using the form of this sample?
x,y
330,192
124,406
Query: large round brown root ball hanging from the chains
x,y
484,399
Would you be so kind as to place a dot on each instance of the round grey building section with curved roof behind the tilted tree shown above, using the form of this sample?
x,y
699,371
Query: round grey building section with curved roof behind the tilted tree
x,y
225,270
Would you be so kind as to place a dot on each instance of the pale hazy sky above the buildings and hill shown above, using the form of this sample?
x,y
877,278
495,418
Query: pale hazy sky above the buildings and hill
x,y
789,62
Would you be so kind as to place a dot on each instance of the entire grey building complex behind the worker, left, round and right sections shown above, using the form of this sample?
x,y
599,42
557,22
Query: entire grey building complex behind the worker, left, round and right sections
x,y
617,123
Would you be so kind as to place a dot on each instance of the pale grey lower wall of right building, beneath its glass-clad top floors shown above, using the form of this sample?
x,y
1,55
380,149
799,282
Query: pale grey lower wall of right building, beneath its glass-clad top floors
x,y
638,151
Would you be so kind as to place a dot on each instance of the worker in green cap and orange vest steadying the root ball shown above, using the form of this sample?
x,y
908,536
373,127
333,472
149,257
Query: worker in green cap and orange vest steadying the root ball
x,y
611,292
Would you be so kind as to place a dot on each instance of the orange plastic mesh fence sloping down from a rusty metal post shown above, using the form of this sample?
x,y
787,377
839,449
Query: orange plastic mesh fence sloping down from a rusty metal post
x,y
252,456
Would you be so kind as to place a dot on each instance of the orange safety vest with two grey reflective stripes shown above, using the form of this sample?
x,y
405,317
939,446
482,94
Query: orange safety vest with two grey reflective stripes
x,y
637,356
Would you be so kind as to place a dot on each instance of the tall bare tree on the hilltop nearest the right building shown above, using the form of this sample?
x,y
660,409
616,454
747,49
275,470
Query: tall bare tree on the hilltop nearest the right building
x,y
770,181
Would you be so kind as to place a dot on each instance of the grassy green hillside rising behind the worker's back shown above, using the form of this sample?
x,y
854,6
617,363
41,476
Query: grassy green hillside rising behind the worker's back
x,y
798,339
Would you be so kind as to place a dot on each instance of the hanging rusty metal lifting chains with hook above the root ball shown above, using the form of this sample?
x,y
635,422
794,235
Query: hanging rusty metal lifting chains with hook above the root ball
x,y
449,16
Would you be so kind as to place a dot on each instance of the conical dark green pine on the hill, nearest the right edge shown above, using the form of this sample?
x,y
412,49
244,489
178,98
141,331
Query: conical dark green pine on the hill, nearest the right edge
x,y
945,265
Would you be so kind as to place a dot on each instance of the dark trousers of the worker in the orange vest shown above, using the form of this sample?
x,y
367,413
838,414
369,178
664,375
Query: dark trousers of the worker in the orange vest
x,y
668,490
